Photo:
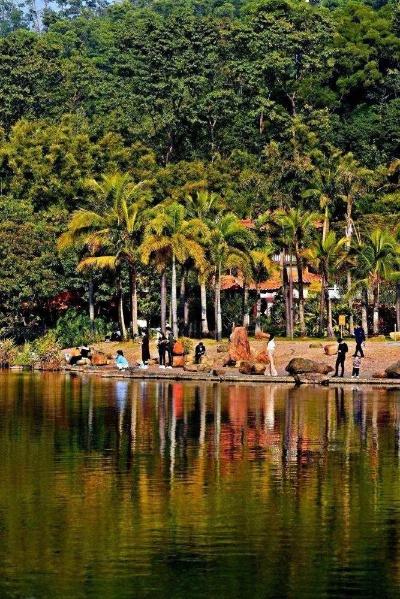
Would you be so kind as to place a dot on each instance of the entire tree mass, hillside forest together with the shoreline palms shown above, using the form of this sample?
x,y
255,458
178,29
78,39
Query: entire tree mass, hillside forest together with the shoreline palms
x,y
149,148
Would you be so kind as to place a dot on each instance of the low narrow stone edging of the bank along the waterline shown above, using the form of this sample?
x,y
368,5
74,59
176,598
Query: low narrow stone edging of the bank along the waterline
x,y
226,378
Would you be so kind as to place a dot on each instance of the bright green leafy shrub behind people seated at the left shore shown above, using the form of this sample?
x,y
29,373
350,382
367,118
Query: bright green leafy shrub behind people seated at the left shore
x,y
73,329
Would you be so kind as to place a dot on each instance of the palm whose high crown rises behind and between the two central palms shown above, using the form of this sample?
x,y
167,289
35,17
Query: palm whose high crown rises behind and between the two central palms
x,y
204,206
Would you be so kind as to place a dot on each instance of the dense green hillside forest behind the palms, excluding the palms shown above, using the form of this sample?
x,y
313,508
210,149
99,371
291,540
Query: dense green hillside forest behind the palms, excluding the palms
x,y
271,105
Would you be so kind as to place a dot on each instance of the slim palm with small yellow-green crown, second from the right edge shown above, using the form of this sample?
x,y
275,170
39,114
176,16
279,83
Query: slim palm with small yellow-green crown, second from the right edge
x,y
328,255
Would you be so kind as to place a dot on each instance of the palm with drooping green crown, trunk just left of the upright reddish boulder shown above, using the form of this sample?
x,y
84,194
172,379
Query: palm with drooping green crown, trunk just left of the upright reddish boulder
x,y
229,243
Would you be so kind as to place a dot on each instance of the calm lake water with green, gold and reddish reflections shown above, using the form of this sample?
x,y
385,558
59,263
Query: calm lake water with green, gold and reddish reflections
x,y
125,489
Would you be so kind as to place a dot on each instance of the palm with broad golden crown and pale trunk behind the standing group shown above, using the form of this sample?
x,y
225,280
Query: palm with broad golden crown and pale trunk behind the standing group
x,y
177,239
